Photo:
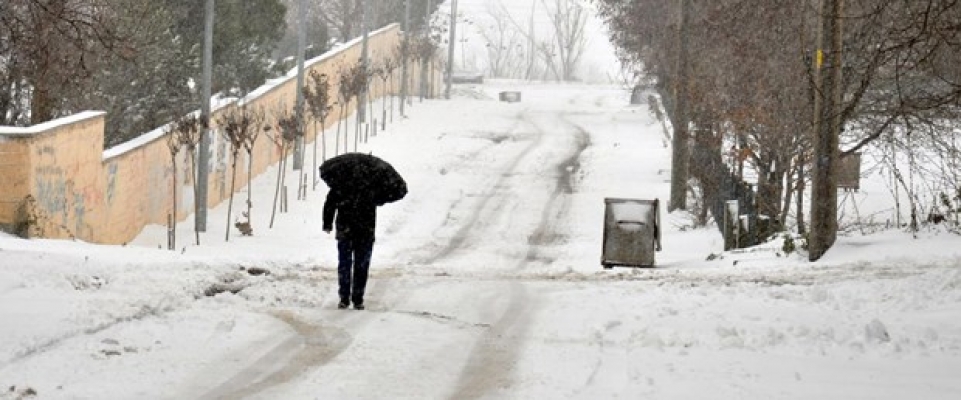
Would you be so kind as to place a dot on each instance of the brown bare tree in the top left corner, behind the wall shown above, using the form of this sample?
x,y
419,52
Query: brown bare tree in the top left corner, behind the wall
x,y
47,48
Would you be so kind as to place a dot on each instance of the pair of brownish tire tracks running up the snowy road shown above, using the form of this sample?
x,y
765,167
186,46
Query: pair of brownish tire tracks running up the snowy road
x,y
491,359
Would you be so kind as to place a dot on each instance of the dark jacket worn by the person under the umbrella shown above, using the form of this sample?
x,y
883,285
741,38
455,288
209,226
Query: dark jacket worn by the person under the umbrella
x,y
356,218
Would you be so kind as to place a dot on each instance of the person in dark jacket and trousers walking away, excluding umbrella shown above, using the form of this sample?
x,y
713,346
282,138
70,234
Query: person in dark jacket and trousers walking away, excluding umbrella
x,y
356,218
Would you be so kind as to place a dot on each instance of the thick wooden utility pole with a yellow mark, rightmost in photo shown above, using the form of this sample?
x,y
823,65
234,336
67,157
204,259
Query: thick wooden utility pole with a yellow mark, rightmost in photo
x,y
827,122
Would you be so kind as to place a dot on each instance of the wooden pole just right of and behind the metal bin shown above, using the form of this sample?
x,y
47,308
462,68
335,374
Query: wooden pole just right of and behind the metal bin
x,y
679,155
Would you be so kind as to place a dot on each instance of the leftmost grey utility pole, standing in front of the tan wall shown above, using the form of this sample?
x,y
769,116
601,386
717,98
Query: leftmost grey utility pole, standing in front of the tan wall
x,y
203,158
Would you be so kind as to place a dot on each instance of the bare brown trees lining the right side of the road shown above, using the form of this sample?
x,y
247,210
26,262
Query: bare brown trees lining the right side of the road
x,y
751,89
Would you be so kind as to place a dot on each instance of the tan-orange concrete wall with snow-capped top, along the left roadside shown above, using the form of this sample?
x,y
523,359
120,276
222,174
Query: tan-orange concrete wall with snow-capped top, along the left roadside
x,y
60,172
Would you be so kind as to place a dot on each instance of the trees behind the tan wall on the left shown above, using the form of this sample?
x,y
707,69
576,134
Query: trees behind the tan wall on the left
x,y
140,60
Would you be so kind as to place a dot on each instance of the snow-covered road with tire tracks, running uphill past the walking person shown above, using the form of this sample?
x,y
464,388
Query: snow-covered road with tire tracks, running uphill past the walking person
x,y
511,218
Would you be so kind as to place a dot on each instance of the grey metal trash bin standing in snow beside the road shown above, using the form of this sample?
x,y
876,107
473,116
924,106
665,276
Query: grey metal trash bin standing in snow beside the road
x,y
632,232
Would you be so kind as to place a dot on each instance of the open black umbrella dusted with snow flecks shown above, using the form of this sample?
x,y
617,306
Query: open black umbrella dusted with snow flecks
x,y
363,177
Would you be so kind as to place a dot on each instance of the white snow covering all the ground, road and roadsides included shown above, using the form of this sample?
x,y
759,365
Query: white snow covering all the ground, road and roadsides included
x,y
486,283
